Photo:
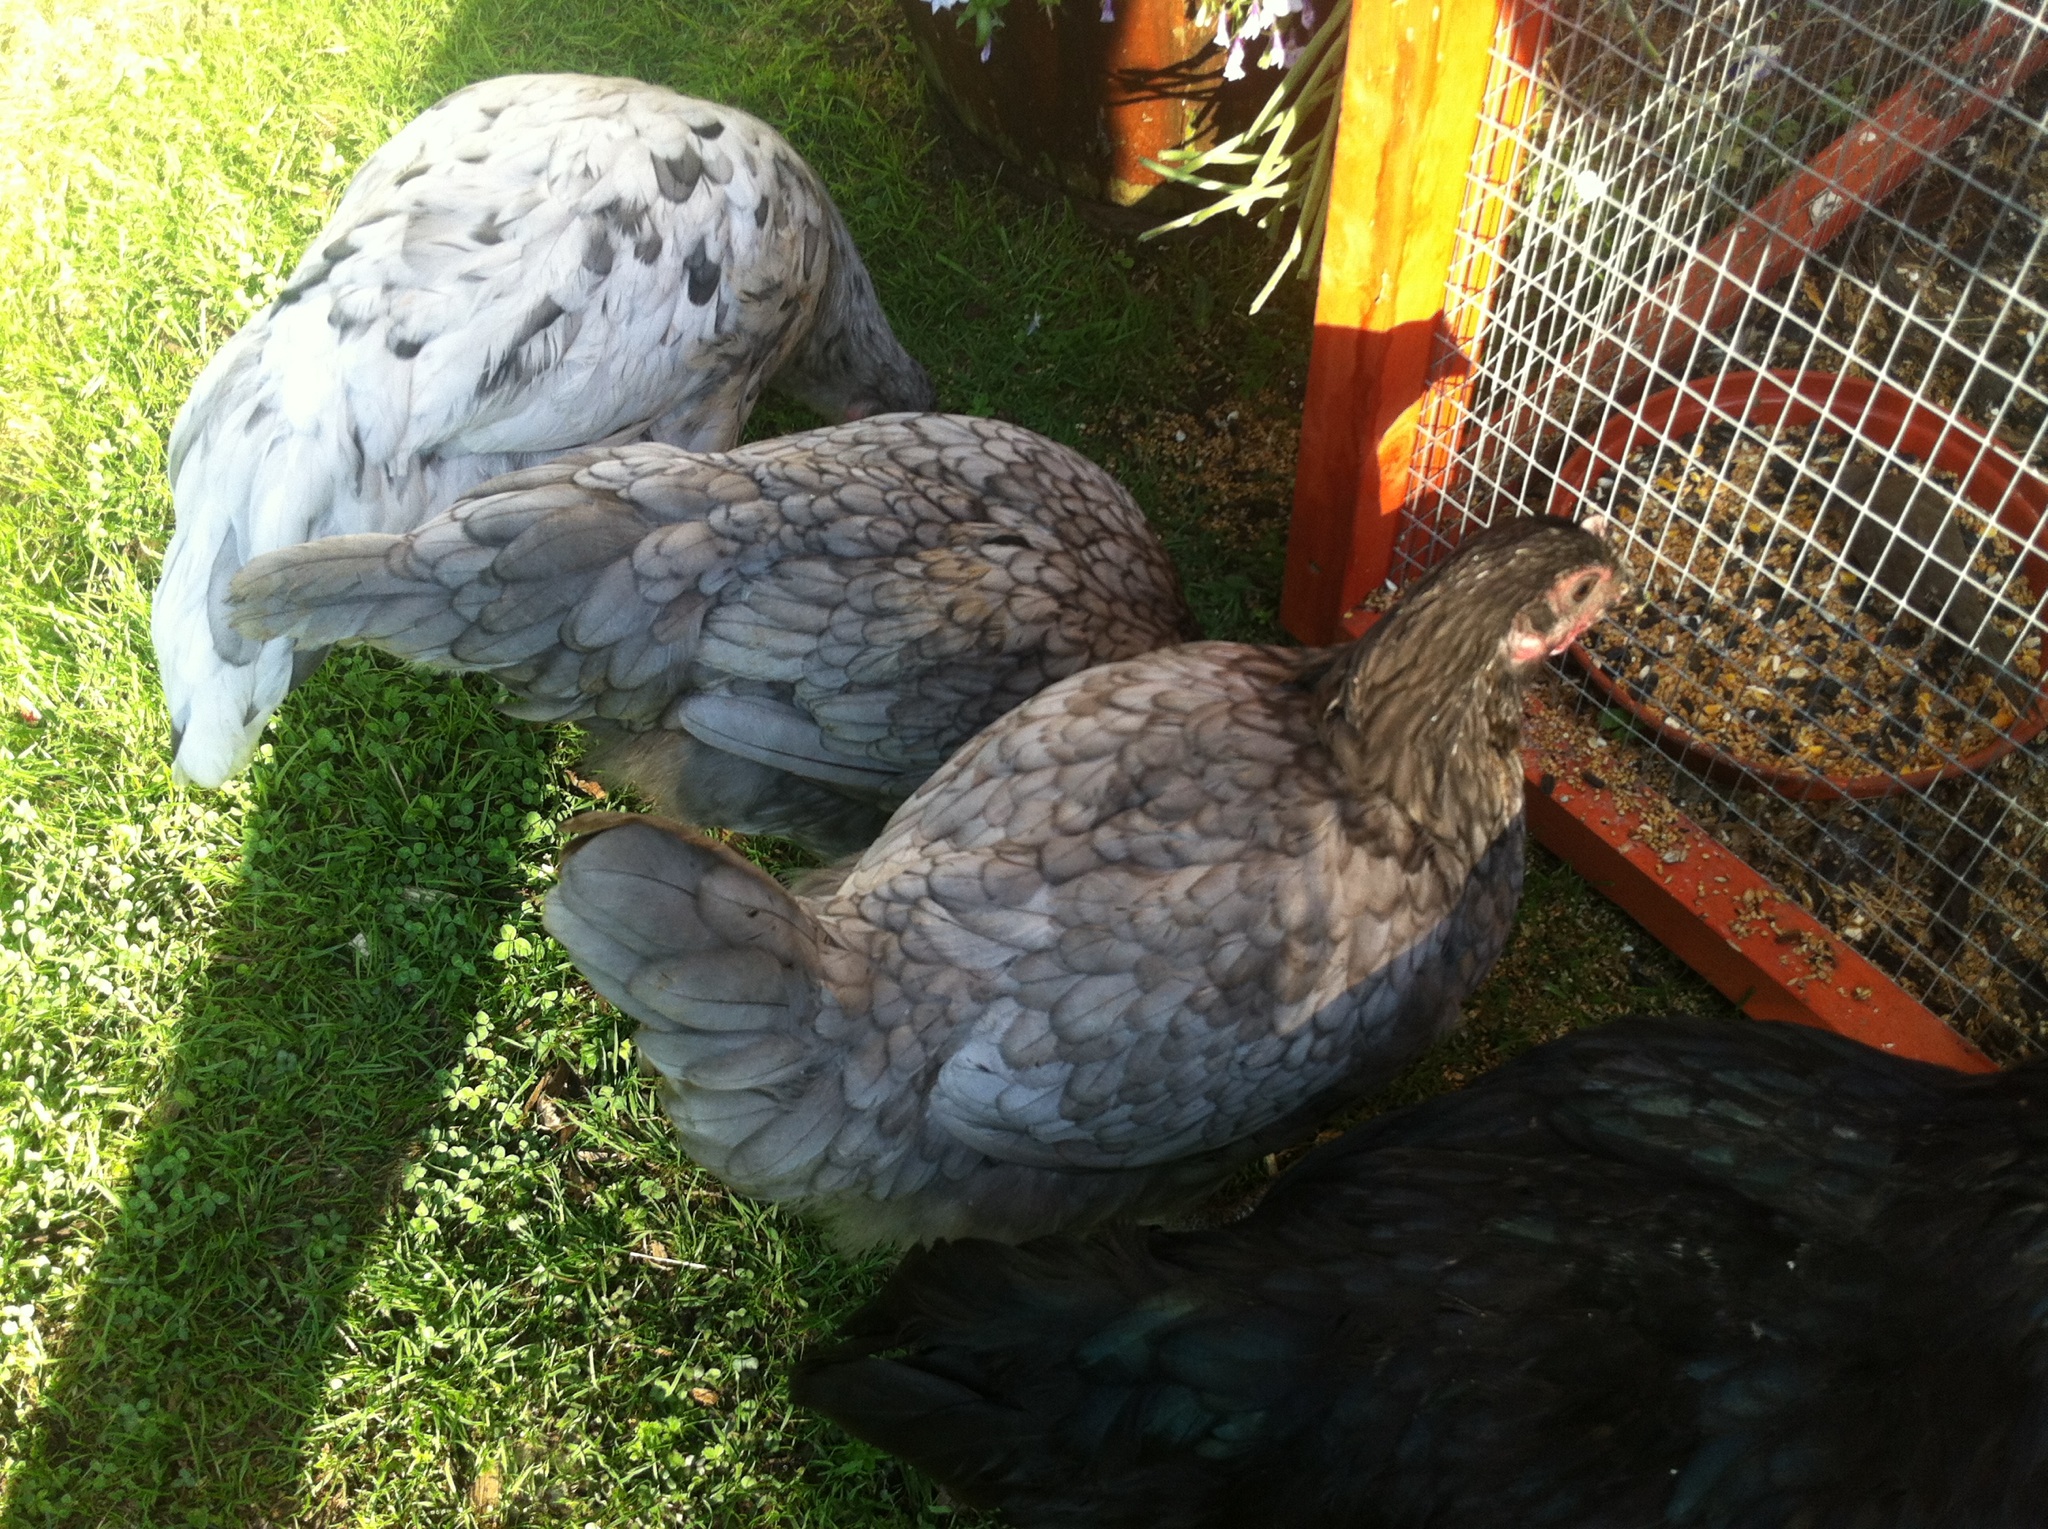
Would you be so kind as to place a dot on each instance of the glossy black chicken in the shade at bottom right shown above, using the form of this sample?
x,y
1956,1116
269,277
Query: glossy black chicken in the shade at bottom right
x,y
1668,1272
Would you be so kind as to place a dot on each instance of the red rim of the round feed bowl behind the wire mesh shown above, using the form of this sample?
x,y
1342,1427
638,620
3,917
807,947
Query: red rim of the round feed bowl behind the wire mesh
x,y
1883,417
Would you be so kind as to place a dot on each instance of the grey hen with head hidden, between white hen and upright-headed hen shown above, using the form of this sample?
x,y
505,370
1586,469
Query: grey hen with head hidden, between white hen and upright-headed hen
x,y
779,640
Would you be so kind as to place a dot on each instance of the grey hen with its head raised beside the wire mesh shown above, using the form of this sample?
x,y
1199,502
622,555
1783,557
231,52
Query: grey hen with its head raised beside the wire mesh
x,y
1152,922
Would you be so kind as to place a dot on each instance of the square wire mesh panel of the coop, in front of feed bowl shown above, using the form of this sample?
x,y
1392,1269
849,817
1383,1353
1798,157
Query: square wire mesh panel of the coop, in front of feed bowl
x,y
1770,290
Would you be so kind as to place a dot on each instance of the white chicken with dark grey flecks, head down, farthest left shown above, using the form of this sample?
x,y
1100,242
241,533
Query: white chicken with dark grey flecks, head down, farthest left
x,y
538,263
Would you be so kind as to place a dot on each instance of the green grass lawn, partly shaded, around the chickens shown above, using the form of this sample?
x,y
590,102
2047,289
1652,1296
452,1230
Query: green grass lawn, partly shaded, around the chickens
x,y
327,1194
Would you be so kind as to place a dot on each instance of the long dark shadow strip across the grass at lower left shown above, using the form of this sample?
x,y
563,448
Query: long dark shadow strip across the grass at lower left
x,y
382,855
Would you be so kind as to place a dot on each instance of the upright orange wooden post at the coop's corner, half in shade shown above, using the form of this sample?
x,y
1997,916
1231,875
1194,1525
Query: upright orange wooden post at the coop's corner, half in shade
x,y
1414,81
